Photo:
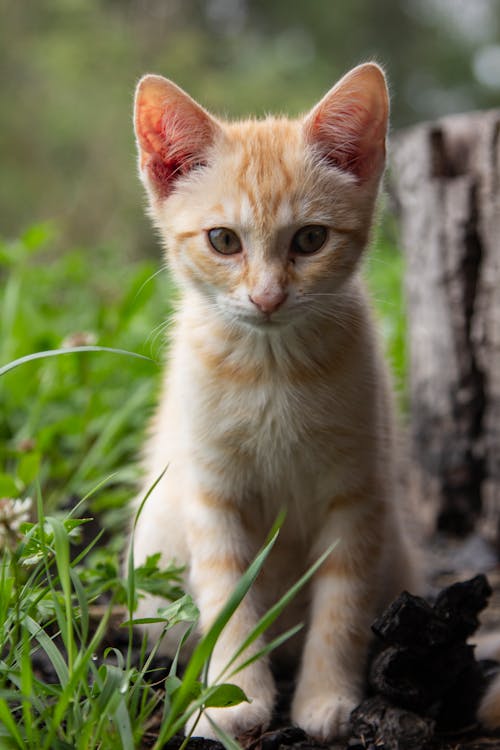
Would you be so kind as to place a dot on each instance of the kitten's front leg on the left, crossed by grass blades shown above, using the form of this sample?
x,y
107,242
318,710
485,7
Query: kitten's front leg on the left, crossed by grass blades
x,y
219,555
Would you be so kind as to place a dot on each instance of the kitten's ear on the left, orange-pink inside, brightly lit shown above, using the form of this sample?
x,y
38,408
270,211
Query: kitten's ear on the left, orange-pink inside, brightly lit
x,y
173,133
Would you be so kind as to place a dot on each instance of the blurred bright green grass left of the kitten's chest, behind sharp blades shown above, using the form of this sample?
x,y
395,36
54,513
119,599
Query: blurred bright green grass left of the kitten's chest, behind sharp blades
x,y
70,422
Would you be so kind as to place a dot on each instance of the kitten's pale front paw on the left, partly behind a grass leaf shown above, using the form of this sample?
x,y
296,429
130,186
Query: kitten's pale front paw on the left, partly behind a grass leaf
x,y
244,719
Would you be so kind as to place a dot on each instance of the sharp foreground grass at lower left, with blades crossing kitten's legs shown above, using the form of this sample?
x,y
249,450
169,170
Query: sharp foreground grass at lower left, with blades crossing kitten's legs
x,y
46,598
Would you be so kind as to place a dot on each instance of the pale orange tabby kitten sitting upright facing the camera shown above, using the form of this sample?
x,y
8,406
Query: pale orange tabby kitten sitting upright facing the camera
x,y
276,394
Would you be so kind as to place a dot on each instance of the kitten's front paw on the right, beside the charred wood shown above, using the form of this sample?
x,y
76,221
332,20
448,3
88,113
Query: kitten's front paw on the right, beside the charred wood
x,y
324,717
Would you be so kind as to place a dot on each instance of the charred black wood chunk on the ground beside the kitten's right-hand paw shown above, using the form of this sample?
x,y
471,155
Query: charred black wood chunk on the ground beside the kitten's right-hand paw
x,y
425,665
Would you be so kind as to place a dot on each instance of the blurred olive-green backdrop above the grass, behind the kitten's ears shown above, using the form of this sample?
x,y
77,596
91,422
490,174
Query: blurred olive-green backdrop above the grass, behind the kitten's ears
x,y
69,67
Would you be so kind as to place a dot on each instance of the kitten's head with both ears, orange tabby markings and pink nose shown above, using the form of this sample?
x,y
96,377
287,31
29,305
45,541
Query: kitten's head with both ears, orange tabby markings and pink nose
x,y
265,219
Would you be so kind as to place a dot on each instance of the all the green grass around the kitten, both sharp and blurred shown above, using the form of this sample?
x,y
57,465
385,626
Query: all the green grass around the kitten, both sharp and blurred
x,y
70,432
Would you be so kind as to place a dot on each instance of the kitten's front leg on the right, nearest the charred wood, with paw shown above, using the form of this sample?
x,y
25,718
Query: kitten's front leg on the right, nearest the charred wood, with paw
x,y
344,601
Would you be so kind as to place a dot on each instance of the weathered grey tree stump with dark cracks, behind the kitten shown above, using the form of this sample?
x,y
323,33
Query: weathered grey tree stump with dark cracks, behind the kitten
x,y
446,180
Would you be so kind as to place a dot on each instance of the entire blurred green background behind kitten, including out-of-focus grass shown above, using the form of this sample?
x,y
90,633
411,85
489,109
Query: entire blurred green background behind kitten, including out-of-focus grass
x,y
77,254
